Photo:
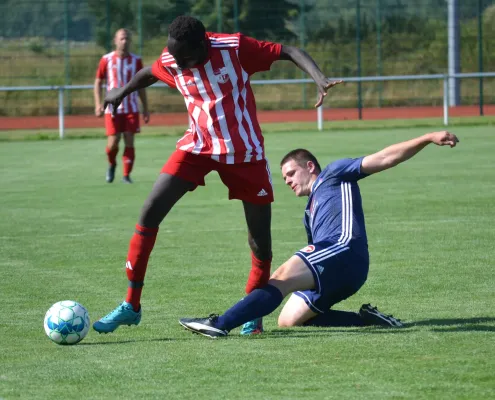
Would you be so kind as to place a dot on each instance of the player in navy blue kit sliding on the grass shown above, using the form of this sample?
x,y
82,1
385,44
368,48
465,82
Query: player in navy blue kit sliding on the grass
x,y
334,264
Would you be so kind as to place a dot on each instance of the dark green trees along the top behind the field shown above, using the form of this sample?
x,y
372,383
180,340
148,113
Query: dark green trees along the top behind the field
x,y
333,20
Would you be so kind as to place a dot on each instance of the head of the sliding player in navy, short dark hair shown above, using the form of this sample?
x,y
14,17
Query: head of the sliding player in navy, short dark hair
x,y
299,170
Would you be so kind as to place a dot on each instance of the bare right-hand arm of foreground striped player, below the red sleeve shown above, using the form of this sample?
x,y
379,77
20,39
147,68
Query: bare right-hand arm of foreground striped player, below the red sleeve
x,y
304,61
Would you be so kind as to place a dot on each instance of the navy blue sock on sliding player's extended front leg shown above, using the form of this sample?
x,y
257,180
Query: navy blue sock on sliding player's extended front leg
x,y
258,303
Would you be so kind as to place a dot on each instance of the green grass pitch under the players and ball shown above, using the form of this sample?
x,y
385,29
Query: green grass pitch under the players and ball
x,y
65,234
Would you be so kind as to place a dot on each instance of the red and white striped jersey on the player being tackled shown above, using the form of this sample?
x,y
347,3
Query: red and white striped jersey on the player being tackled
x,y
219,98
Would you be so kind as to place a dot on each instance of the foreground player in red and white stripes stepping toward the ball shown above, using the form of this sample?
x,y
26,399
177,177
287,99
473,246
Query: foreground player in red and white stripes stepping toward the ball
x,y
212,72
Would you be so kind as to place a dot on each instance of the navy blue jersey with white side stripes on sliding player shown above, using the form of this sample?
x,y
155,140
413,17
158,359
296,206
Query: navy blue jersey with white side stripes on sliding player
x,y
334,212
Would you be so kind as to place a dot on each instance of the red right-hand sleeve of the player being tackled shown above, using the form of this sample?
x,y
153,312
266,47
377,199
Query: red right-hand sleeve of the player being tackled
x,y
256,55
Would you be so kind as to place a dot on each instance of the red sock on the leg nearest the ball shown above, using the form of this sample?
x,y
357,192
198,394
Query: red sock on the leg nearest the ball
x,y
140,247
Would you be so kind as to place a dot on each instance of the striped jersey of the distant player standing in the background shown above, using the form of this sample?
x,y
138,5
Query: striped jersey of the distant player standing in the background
x,y
117,71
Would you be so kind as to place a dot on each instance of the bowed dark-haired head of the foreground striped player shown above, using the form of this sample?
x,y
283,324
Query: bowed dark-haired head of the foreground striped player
x,y
187,41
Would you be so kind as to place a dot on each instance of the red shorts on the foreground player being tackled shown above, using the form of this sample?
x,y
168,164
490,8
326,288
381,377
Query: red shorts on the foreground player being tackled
x,y
250,182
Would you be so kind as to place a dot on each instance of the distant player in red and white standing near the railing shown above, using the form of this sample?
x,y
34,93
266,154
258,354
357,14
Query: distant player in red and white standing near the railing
x,y
117,69
